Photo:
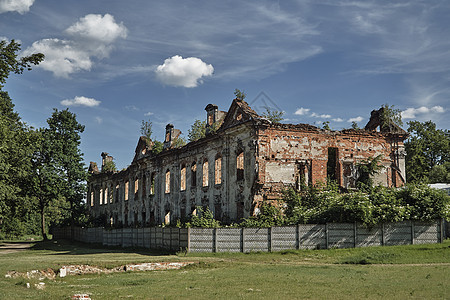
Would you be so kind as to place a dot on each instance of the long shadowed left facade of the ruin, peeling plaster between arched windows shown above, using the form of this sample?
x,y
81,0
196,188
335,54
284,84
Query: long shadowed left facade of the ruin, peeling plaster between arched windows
x,y
229,201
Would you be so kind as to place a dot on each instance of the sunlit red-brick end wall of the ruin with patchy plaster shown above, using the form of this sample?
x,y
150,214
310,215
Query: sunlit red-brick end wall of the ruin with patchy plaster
x,y
292,155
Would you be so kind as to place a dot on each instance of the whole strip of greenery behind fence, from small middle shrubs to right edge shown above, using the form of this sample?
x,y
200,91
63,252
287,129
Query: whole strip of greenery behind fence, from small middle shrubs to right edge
x,y
325,204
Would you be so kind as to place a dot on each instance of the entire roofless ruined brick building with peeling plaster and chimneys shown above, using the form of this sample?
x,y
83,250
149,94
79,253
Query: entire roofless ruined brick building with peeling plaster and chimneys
x,y
245,161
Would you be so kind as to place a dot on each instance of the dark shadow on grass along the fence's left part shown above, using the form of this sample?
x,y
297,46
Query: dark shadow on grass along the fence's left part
x,y
65,247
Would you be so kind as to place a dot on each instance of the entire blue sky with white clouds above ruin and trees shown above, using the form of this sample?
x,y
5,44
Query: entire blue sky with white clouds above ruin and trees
x,y
116,63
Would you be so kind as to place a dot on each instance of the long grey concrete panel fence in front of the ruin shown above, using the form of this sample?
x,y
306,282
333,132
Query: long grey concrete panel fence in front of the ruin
x,y
303,236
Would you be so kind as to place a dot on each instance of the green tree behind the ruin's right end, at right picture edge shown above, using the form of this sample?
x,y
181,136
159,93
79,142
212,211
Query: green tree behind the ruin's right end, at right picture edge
x,y
426,148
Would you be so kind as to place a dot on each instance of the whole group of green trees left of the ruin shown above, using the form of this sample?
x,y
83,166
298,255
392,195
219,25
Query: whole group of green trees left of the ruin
x,y
42,173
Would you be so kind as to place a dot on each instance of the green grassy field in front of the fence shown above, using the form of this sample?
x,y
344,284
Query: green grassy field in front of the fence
x,y
415,272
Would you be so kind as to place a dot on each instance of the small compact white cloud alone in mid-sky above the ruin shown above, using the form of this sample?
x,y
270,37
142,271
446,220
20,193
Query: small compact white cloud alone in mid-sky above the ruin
x,y
186,72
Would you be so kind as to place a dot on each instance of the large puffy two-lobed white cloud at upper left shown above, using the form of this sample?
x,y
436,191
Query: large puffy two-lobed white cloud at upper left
x,y
92,37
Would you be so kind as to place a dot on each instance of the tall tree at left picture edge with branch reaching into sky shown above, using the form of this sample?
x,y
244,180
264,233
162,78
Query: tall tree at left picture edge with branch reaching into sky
x,y
15,145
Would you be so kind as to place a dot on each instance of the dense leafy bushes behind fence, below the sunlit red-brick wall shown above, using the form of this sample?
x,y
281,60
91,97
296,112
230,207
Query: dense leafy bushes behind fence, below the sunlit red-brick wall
x,y
378,205
